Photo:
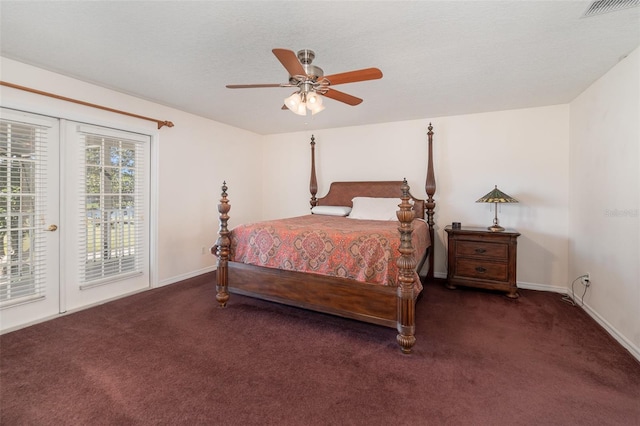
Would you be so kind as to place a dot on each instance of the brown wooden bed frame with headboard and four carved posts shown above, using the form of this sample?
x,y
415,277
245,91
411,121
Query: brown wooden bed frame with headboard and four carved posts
x,y
382,305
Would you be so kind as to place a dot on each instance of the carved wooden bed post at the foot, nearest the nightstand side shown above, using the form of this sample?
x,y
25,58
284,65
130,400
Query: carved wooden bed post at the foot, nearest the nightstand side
x,y
407,266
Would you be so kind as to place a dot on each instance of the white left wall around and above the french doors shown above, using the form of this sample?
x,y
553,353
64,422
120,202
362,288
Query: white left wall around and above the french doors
x,y
194,157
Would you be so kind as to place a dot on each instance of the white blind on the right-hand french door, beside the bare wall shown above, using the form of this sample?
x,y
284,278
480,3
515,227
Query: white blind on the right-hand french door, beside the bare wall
x,y
111,183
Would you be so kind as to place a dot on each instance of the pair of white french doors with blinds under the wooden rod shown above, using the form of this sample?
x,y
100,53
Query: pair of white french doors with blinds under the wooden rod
x,y
74,216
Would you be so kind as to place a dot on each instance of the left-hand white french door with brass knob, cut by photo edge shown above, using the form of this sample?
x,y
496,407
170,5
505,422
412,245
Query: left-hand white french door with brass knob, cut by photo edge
x,y
29,218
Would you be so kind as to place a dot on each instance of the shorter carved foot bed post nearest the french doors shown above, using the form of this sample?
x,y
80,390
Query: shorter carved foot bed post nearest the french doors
x,y
221,250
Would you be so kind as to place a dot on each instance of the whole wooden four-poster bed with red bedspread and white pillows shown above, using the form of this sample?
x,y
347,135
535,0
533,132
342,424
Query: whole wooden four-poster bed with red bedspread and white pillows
x,y
356,266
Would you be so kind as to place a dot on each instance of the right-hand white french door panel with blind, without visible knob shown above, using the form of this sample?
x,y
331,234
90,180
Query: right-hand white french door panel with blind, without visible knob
x,y
106,214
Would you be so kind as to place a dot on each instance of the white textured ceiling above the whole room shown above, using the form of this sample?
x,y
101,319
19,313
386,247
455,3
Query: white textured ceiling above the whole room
x,y
438,58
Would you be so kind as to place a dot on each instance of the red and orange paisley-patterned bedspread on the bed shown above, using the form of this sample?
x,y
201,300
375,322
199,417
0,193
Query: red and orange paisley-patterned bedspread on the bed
x,y
362,250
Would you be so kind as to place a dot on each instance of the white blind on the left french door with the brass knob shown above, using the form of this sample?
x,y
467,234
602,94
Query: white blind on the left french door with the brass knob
x,y
23,189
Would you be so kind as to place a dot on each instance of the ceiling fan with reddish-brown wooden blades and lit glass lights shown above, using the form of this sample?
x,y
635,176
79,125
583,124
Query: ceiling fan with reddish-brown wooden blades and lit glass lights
x,y
311,83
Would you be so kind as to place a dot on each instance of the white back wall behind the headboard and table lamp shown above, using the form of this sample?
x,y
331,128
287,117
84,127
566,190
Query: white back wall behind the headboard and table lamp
x,y
525,152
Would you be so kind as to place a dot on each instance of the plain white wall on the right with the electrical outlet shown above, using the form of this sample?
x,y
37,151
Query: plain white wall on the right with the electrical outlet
x,y
605,198
